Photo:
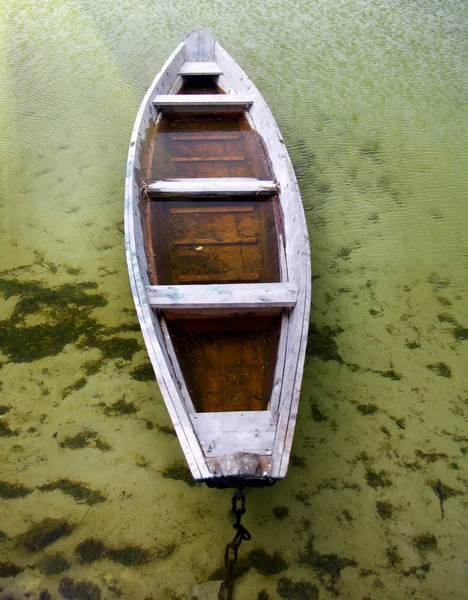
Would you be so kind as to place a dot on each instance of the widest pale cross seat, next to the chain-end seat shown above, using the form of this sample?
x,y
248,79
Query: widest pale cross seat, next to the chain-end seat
x,y
250,295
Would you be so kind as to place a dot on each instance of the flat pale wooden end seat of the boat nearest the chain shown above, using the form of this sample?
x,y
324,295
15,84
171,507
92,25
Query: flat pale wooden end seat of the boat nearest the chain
x,y
225,433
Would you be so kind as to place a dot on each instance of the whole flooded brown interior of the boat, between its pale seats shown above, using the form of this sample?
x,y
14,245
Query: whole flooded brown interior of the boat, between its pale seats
x,y
228,356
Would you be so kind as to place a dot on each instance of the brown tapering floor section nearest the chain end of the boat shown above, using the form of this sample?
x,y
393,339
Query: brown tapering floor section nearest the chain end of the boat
x,y
225,361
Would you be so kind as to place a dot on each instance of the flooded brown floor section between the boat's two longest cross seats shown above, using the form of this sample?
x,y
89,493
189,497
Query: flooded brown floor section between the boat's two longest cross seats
x,y
213,241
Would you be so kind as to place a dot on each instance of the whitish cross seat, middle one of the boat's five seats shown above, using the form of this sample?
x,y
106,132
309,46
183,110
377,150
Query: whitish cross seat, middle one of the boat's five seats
x,y
212,186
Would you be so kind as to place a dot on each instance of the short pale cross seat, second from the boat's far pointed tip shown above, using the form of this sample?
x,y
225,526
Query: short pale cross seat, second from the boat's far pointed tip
x,y
202,102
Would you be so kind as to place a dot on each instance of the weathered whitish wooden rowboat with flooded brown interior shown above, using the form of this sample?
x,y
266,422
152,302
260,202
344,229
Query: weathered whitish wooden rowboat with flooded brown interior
x,y
218,257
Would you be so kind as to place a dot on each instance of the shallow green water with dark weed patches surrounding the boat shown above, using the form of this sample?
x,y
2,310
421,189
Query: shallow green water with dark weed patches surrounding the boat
x,y
372,100
